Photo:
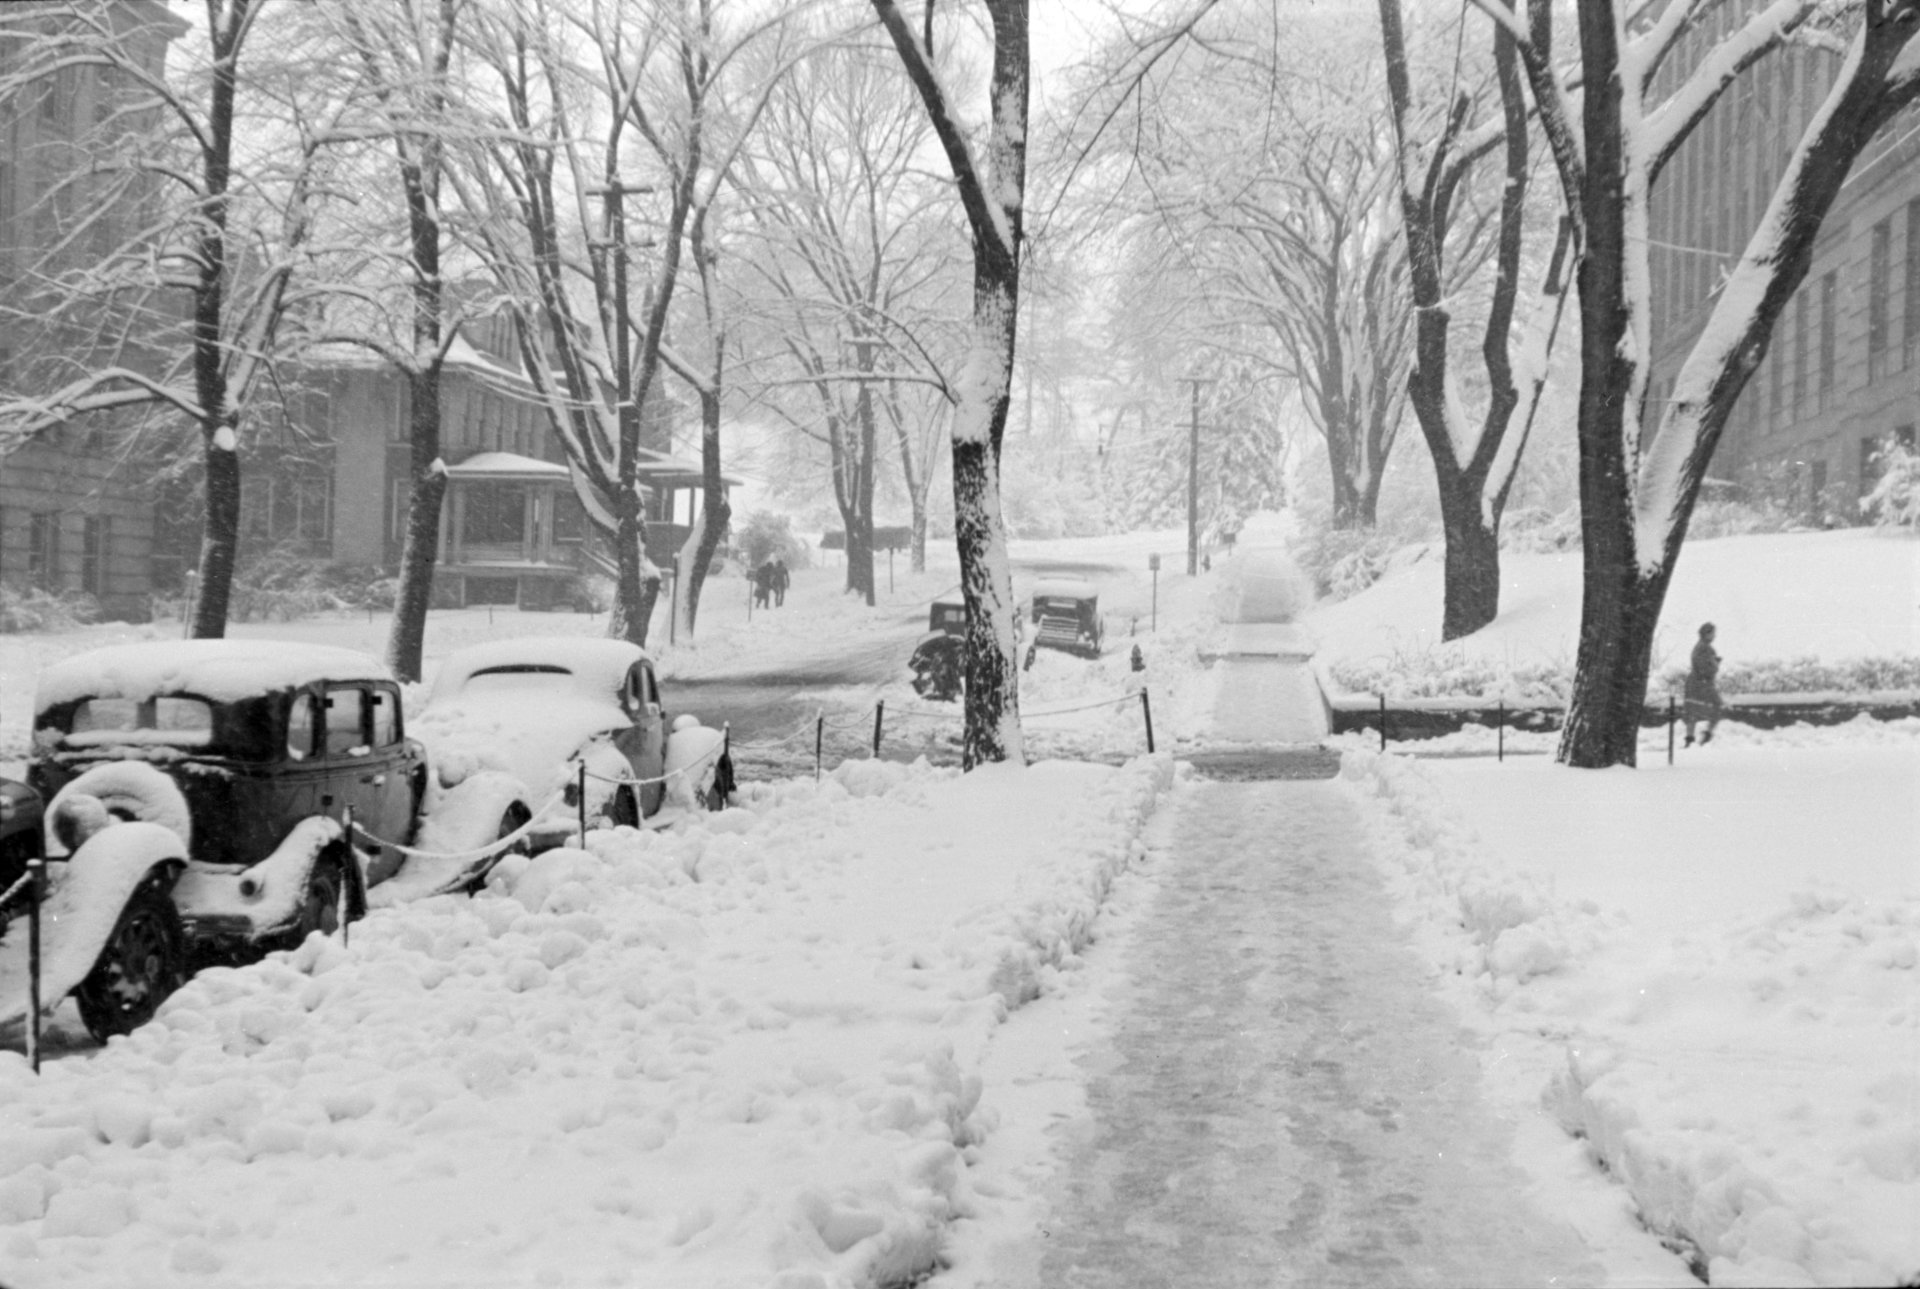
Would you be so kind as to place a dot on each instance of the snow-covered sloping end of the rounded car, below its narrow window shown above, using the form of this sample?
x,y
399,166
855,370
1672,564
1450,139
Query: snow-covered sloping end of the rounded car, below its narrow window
x,y
527,735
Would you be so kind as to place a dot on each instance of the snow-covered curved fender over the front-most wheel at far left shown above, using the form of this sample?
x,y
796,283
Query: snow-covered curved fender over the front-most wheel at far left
x,y
84,904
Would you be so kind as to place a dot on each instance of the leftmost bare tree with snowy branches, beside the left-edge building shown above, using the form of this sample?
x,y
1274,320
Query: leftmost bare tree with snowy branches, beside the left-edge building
x,y
218,166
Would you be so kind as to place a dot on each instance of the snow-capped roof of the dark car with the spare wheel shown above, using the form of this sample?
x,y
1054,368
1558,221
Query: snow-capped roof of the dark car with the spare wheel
x,y
216,669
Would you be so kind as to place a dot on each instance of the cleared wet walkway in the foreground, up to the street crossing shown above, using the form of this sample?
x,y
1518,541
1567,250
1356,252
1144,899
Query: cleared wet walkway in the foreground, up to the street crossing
x,y
1282,1098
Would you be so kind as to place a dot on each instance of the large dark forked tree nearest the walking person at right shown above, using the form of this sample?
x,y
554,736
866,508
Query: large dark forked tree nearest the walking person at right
x,y
1614,128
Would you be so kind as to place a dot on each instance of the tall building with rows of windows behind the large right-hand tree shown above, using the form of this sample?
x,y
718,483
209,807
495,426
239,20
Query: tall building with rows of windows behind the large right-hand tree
x,y
1842,374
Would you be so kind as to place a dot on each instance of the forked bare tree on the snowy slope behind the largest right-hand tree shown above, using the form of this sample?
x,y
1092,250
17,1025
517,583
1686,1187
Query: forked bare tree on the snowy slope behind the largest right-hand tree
x,y
1474,464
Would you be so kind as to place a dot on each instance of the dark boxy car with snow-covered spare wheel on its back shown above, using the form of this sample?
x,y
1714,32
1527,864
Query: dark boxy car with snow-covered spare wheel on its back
x,y
199,808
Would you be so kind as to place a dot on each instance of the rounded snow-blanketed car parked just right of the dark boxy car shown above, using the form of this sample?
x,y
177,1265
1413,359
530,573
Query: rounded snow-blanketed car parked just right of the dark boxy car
x,y
544,708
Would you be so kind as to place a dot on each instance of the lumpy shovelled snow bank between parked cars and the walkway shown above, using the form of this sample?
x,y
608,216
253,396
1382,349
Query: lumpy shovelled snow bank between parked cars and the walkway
x,y
744,1052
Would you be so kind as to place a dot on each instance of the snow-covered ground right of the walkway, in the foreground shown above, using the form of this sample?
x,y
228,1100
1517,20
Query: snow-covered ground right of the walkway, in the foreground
x,y
1748,1071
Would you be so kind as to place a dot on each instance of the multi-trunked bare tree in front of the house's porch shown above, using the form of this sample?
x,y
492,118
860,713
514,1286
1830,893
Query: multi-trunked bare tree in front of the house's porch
x,y
621,116
